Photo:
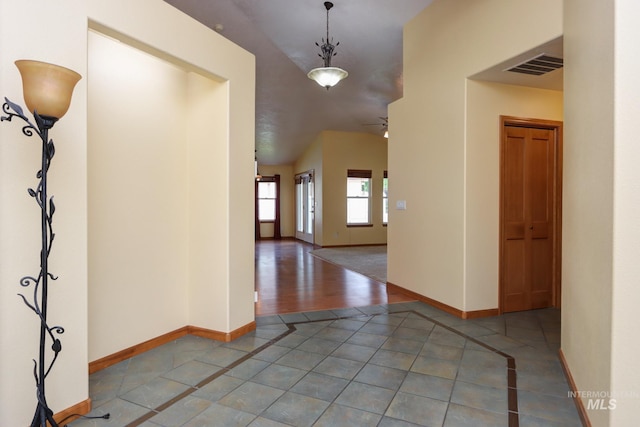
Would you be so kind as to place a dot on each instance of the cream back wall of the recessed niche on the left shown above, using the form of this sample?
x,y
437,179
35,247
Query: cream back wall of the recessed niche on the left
x,y
138,212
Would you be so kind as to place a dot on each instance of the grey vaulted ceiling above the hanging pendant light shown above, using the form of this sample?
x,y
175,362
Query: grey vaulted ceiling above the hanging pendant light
x,y
292,109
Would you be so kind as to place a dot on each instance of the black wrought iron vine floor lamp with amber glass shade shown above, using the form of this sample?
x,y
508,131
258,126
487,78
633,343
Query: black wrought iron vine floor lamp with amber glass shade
x,y
47,92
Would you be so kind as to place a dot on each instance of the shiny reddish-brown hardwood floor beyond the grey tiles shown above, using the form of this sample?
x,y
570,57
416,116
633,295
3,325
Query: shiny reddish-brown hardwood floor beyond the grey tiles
x,y
289,280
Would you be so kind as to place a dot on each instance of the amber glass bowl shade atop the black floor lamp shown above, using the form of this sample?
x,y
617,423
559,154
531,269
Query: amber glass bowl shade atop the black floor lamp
x,y
47,88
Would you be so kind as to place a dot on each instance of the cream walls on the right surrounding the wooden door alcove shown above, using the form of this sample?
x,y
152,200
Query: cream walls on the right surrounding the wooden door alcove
x,y
600,231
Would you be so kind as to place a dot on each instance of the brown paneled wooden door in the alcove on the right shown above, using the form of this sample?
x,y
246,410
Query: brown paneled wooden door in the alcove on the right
x,y
530,211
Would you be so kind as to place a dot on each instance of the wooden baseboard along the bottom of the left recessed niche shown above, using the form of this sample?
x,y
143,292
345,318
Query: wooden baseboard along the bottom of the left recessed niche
x,y
112,359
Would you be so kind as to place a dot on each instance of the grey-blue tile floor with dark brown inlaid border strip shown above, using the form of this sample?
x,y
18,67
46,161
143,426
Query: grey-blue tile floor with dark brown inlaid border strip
x,y
405,364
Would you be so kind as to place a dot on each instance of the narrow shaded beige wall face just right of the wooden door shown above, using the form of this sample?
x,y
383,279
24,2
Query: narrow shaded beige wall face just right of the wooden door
x,y
588,197
